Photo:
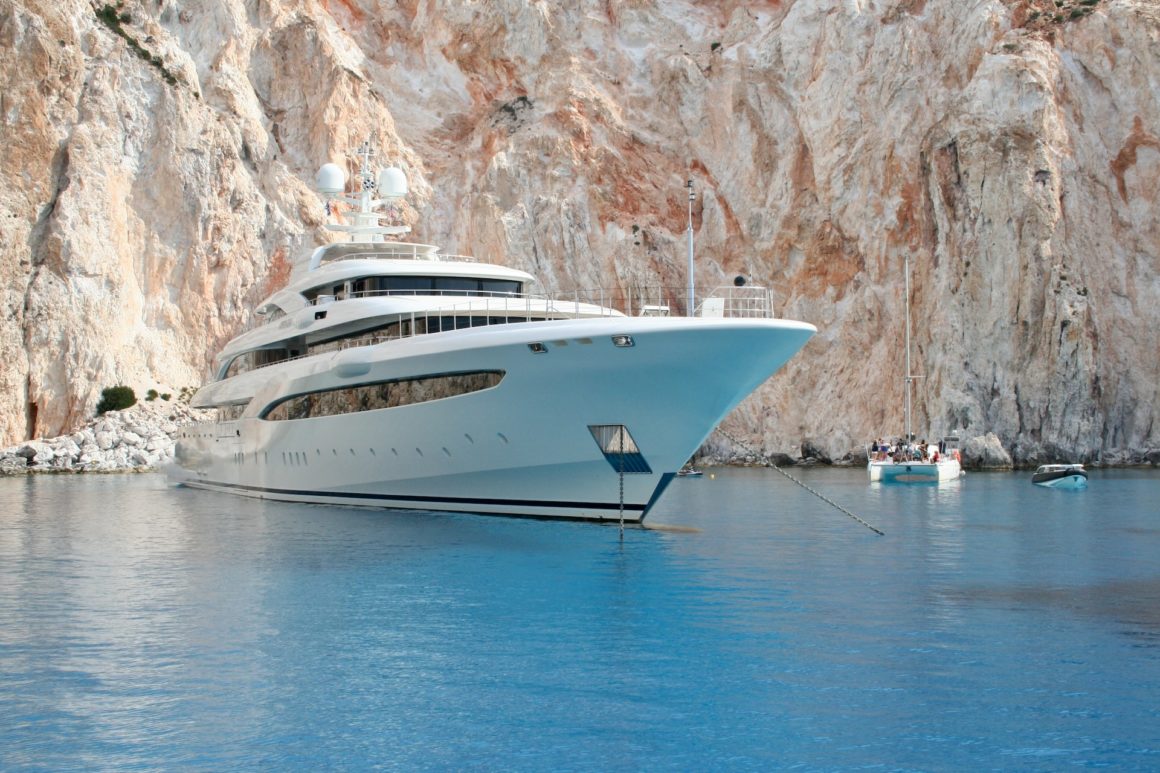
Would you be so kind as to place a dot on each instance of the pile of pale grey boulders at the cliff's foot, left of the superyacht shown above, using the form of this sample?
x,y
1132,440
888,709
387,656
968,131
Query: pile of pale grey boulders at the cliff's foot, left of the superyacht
x,y
139,439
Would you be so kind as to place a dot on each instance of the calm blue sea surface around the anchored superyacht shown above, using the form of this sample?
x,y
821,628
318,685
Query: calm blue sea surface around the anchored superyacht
x,y
996,626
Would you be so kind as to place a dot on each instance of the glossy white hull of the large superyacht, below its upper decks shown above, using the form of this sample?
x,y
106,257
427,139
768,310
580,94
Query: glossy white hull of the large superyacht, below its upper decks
x,y
524,447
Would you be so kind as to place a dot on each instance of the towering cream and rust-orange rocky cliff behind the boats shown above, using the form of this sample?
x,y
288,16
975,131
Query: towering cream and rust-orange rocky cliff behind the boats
x,y
157,160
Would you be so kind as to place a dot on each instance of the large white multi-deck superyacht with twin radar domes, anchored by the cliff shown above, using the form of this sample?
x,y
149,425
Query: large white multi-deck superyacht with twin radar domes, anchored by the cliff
x,y
387,374
